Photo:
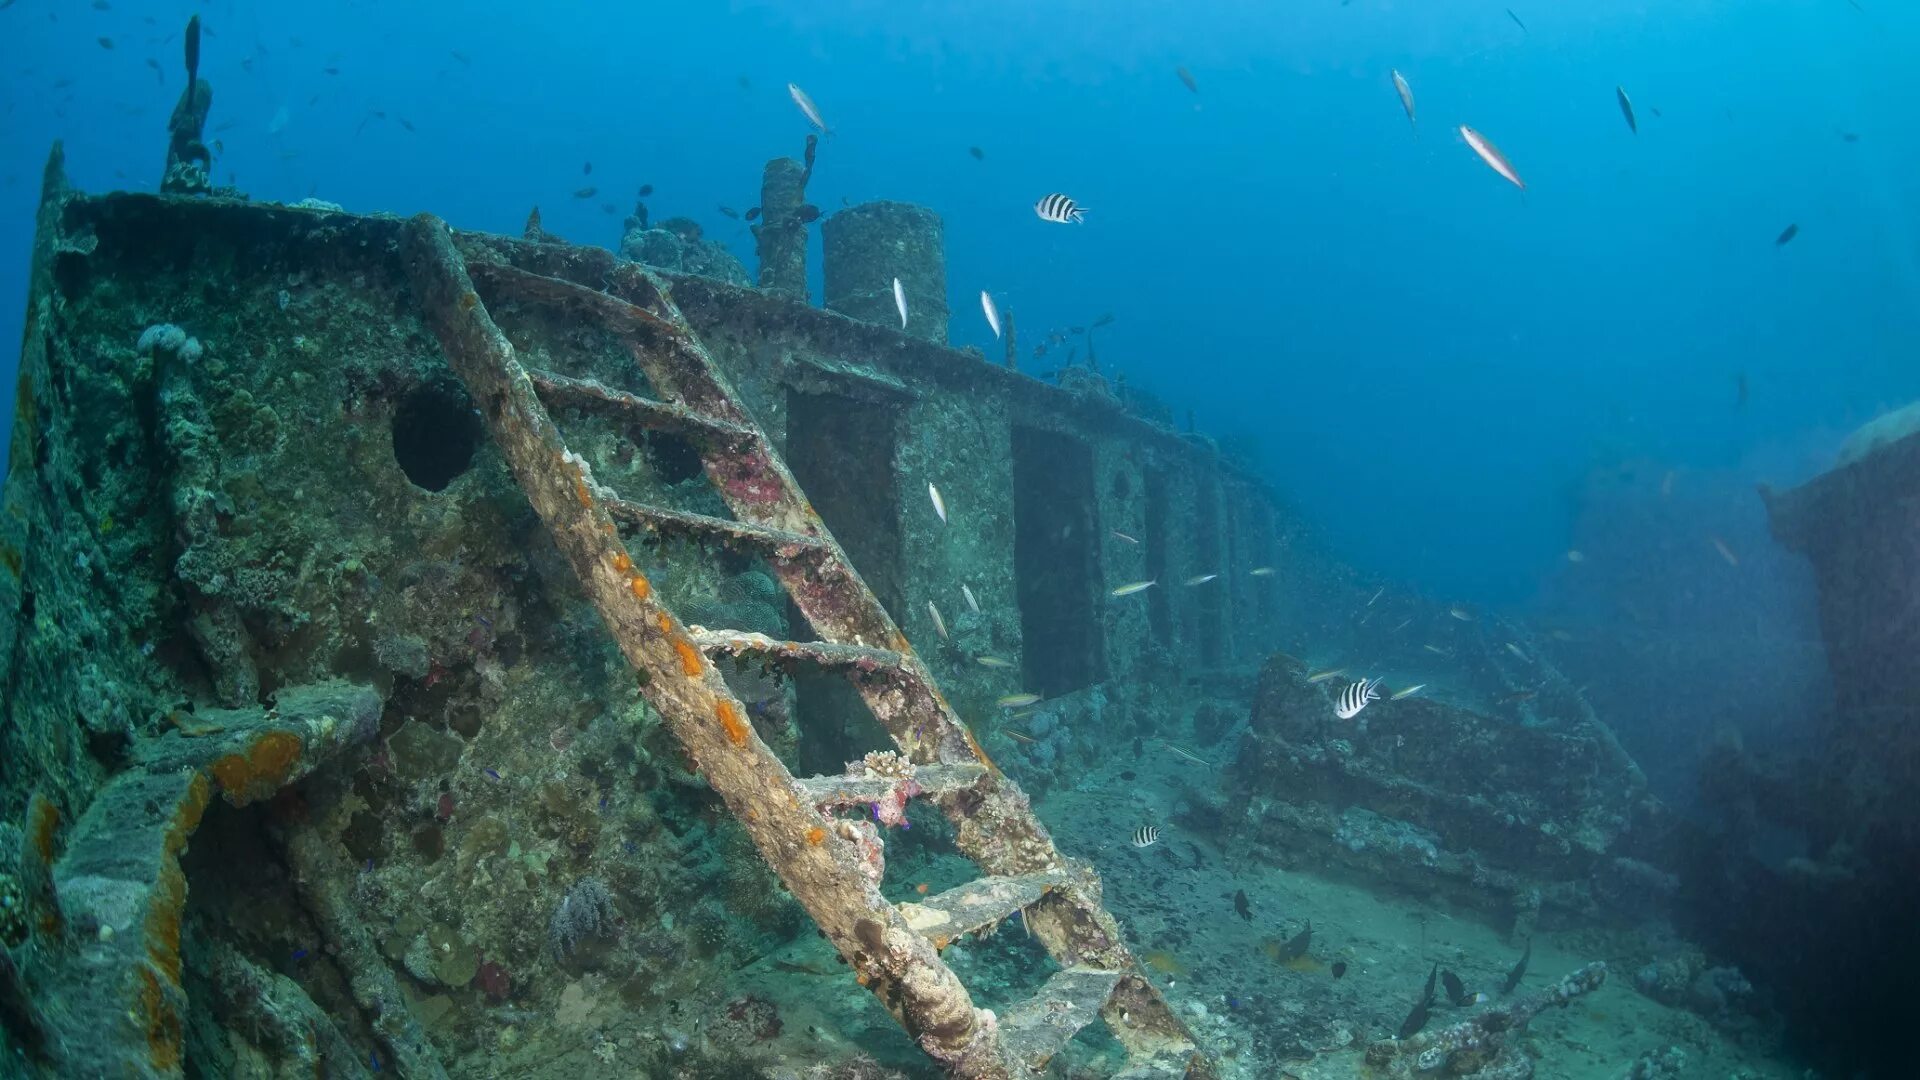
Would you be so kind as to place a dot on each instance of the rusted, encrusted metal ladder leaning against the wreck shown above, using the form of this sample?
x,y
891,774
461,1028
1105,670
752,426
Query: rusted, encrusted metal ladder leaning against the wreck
x,y
830,862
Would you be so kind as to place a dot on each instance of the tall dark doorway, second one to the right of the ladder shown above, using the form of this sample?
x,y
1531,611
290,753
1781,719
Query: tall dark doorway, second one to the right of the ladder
x,y
1057,576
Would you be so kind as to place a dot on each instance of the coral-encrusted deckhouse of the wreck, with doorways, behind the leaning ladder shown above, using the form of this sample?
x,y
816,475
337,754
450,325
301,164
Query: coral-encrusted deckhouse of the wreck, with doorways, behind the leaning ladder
x,y
312,754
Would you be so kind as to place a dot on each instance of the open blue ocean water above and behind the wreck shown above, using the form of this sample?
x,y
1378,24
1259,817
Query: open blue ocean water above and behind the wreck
x,y
1452,380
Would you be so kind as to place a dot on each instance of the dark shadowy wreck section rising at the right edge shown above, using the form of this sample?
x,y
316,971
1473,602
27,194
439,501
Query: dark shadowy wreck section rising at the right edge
x,y
1823,847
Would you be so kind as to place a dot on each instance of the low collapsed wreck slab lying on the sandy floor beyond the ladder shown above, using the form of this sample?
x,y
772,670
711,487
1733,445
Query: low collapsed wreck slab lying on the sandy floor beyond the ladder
x,y
1524,822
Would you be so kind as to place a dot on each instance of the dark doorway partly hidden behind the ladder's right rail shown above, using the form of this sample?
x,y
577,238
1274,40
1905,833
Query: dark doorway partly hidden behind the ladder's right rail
x,y
842,453
